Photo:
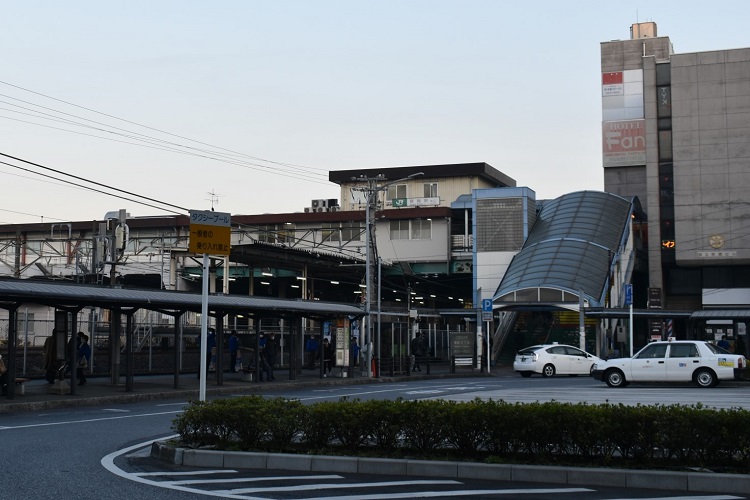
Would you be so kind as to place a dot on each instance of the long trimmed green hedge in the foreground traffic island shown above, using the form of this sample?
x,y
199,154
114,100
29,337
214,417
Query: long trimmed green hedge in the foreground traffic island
x,y
481,430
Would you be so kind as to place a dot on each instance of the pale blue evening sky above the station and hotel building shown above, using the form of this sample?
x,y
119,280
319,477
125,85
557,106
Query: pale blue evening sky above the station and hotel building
x,y
245,106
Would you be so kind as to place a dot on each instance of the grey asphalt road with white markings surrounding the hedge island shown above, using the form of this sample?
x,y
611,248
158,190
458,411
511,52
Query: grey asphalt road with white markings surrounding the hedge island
x,y
101,452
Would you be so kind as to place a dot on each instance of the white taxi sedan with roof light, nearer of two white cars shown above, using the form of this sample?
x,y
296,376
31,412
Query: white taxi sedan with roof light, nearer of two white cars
x,y
673,361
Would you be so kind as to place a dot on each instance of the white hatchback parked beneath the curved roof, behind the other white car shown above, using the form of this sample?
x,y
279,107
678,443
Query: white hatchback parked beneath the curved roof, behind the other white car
x,y
554,359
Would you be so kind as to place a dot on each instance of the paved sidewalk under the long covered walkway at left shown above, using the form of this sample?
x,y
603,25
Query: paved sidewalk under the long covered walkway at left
x,y
100,390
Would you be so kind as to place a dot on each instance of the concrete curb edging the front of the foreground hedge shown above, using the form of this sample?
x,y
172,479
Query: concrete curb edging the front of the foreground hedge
x,y
705,482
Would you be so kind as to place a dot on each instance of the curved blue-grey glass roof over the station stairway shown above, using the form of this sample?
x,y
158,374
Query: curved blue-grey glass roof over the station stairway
x,y
569,251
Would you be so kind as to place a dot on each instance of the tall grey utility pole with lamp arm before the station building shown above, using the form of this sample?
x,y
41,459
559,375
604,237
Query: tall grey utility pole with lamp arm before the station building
x,y
371,198
